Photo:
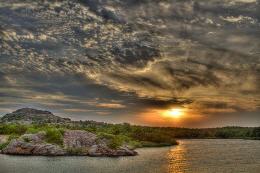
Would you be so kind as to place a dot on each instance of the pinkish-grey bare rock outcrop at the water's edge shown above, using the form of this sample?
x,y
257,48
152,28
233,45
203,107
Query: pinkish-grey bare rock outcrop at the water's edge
x,y
75,142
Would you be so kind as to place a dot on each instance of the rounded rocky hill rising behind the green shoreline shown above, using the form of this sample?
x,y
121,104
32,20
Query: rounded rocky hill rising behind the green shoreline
x,y
29,115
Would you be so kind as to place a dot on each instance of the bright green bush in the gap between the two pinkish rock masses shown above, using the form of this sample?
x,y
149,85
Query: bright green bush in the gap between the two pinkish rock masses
x,y
54,136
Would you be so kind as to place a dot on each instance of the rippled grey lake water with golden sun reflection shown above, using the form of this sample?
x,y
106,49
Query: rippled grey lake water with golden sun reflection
x,y
191,156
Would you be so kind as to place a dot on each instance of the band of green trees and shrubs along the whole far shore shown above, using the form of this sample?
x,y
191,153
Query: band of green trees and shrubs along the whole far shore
x,y
133,136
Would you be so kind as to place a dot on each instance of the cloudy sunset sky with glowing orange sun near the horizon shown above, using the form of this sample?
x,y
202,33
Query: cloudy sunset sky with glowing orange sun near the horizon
x,y
183,63
